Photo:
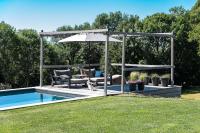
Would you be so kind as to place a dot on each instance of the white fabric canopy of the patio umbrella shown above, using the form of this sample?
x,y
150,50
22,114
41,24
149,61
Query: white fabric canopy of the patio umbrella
x,y
88,37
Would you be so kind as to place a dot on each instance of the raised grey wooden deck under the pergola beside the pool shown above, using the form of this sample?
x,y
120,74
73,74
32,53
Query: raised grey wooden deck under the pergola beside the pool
x,y
116,89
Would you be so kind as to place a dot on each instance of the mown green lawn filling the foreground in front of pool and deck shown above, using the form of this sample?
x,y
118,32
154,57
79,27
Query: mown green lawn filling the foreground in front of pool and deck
x,y
106,114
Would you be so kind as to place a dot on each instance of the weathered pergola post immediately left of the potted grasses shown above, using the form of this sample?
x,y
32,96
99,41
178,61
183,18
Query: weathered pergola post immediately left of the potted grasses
x,y
123,63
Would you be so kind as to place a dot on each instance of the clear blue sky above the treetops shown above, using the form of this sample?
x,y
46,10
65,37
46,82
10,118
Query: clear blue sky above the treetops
x,y
48,15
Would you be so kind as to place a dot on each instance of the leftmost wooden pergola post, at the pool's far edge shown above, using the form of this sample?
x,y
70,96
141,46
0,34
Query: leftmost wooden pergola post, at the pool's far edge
x,y
41,61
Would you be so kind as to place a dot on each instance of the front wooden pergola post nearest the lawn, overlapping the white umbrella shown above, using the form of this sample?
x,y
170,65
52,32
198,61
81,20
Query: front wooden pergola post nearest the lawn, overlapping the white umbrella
x,y
106,65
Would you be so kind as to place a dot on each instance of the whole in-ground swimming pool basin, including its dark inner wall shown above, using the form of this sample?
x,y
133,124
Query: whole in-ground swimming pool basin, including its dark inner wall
x,y
16,98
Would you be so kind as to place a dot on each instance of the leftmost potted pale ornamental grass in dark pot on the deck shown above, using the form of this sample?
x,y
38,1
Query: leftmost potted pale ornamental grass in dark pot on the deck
x,y
133,81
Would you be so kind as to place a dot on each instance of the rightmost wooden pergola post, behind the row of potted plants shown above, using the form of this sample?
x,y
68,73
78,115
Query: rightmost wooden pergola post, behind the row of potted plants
x,y
172,59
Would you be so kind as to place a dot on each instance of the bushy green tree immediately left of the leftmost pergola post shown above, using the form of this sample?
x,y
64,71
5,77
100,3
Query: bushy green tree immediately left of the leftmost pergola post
x,y
27,57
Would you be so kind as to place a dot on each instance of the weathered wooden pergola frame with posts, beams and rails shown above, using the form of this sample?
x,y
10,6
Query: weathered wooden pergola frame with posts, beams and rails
x,y
123,65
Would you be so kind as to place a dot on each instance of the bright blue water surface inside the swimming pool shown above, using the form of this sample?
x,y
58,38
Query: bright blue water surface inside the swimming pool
x,y
24,97
